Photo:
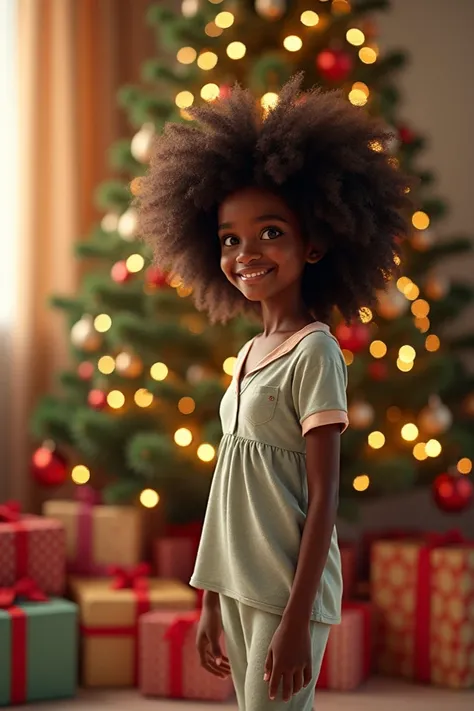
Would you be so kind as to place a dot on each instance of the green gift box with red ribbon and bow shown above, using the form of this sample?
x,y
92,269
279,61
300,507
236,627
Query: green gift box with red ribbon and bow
x,y
38,646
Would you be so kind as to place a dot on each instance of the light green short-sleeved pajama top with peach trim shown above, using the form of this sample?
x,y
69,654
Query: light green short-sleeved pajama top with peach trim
x,y
259,494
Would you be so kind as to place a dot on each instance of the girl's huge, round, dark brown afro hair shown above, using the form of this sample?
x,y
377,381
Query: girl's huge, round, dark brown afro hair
x,y
327,159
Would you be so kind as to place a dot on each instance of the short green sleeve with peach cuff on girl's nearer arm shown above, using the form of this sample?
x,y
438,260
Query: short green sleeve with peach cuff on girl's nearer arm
x,y
319,383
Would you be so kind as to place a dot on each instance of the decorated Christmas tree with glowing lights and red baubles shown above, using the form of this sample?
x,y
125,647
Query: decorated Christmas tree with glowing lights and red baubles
x,y
140,406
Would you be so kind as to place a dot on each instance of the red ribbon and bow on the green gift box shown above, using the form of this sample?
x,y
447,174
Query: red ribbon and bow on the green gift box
x,y
25,588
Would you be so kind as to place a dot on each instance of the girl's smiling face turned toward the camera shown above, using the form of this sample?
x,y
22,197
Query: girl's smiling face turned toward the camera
x,y
263,252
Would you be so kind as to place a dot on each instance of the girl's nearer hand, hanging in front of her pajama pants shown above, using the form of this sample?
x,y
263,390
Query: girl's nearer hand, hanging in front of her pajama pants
x,y
289,659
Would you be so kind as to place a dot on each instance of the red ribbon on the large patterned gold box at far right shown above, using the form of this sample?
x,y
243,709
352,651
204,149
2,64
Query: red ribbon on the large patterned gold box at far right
x,y
422,647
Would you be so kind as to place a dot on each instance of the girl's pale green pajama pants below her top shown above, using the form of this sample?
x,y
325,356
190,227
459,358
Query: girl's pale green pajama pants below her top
x,y
248,633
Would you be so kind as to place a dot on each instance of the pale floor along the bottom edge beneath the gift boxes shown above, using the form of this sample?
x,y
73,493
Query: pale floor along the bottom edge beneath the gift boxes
x,y
377,695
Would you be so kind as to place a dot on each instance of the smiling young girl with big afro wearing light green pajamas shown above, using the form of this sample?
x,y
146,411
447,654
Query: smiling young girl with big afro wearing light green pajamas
x,y
286,215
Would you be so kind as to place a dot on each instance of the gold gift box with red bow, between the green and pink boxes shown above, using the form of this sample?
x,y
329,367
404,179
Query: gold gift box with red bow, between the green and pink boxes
x,y
109,613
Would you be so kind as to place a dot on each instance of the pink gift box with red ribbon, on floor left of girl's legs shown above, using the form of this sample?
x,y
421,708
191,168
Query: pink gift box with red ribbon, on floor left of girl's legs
x,y
169,663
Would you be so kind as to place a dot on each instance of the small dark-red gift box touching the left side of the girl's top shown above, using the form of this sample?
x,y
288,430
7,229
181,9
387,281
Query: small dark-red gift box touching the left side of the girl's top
x,y
175,553
